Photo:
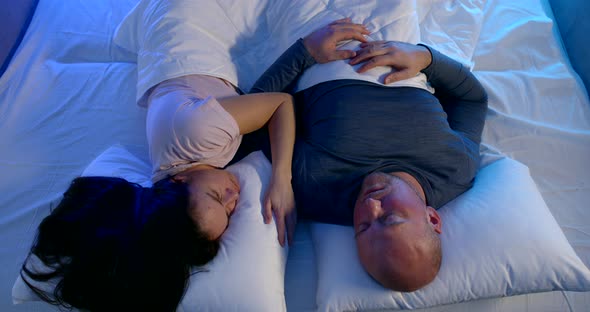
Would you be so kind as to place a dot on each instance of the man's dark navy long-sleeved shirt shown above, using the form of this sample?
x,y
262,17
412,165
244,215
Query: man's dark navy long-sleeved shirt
x,y
347,129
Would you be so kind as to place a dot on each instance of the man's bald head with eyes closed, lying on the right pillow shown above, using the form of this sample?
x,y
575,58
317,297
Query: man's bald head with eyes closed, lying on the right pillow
x,y
390,222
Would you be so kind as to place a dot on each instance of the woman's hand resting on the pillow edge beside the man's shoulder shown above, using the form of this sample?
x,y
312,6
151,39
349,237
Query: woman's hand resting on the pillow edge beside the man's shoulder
x,y
280,201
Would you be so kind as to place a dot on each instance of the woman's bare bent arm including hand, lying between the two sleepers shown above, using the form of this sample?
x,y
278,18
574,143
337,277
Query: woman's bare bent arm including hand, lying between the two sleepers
x,y
252,112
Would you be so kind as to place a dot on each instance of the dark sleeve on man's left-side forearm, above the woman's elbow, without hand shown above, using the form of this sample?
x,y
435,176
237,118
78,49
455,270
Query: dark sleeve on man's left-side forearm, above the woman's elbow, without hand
x,y
285,70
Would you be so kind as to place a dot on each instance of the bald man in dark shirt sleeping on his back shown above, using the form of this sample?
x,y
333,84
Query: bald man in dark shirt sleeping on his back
x,y
383,158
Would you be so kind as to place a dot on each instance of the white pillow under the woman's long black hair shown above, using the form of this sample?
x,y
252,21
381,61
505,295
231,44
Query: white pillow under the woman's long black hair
x,y
248,272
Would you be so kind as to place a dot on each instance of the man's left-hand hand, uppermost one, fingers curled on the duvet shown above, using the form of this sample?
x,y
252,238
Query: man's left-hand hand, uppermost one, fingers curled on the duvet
x,y
322,43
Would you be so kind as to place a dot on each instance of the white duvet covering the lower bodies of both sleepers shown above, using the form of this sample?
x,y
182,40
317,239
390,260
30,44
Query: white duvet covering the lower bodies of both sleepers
x,y
230,39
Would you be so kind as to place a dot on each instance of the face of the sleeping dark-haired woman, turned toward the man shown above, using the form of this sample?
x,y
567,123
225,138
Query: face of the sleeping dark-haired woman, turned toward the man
x,y
214,195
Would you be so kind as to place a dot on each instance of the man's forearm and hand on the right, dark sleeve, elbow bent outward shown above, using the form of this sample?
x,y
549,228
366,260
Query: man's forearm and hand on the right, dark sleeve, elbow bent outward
x,y
462,96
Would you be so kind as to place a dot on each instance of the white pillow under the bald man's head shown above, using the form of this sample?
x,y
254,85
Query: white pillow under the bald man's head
x,y
499,239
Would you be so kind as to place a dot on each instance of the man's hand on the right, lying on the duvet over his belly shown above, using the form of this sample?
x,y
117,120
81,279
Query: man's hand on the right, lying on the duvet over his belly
x,y
406,60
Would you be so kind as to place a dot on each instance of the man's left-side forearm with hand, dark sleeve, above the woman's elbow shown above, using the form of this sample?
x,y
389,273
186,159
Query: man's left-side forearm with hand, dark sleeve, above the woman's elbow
x,y
320,46
